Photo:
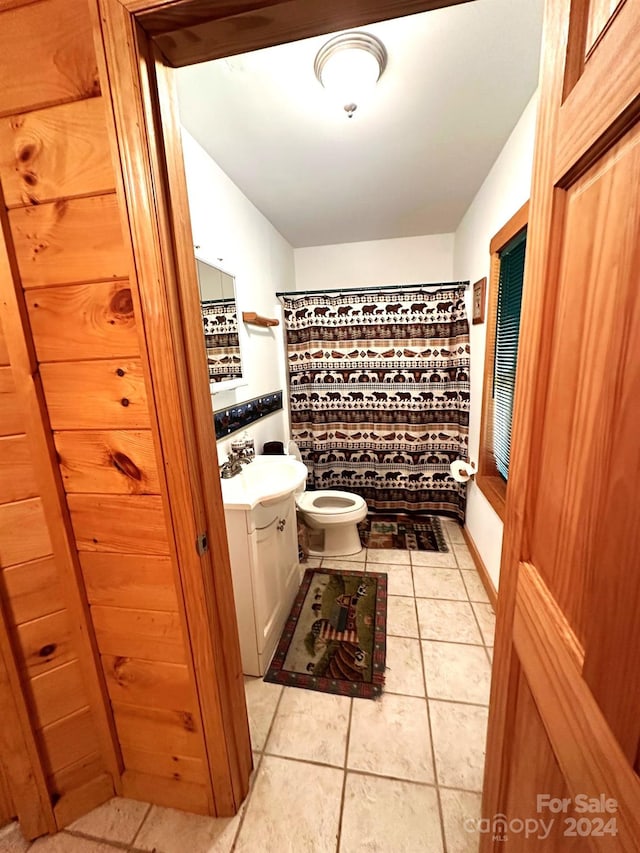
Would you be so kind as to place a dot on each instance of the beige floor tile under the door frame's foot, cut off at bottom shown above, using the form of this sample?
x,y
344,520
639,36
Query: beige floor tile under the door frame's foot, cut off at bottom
x,y
172,831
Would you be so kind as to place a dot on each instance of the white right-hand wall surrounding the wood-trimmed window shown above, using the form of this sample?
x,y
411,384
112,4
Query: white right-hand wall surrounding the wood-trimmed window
x,y
505,189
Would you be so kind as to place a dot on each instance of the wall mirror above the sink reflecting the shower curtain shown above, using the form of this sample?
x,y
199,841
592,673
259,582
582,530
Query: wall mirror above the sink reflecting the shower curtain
x,y
220,326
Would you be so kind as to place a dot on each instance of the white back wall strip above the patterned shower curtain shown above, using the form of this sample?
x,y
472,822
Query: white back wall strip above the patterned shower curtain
x,y
405,260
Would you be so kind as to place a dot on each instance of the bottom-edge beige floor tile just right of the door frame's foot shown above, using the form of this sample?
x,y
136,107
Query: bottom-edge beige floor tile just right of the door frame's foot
x,y
294,808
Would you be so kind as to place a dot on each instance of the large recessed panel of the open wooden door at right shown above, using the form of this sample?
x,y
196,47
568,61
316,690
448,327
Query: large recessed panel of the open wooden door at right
x,y
594,357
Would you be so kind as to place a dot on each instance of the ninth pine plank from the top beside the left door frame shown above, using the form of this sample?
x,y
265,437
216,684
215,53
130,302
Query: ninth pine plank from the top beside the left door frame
x,y
148,634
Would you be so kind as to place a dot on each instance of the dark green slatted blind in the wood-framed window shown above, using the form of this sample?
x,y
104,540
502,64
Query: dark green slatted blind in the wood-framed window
x,y
506,353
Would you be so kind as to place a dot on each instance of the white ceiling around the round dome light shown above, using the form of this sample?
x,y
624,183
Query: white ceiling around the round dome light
x,y
409,162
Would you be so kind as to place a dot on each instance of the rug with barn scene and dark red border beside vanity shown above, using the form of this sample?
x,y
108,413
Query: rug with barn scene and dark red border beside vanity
x,y
335,637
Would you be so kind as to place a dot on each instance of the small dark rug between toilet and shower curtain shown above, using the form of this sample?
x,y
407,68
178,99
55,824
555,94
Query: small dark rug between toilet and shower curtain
x,y
411,531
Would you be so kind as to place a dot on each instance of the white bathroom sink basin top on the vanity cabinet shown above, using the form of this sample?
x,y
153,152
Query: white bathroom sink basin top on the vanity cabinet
x,y
265,479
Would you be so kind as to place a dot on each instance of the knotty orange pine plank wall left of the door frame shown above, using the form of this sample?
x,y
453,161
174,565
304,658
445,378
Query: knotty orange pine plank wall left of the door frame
x,y
66,242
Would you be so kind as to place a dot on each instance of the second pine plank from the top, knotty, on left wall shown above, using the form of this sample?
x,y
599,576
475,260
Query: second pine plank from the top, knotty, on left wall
x,y
55,153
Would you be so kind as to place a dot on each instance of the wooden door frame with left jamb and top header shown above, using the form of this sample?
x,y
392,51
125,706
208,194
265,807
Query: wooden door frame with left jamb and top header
x,y
137,41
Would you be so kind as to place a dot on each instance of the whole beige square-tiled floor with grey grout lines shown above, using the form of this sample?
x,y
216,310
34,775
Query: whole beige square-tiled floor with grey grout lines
x,y
398,775
